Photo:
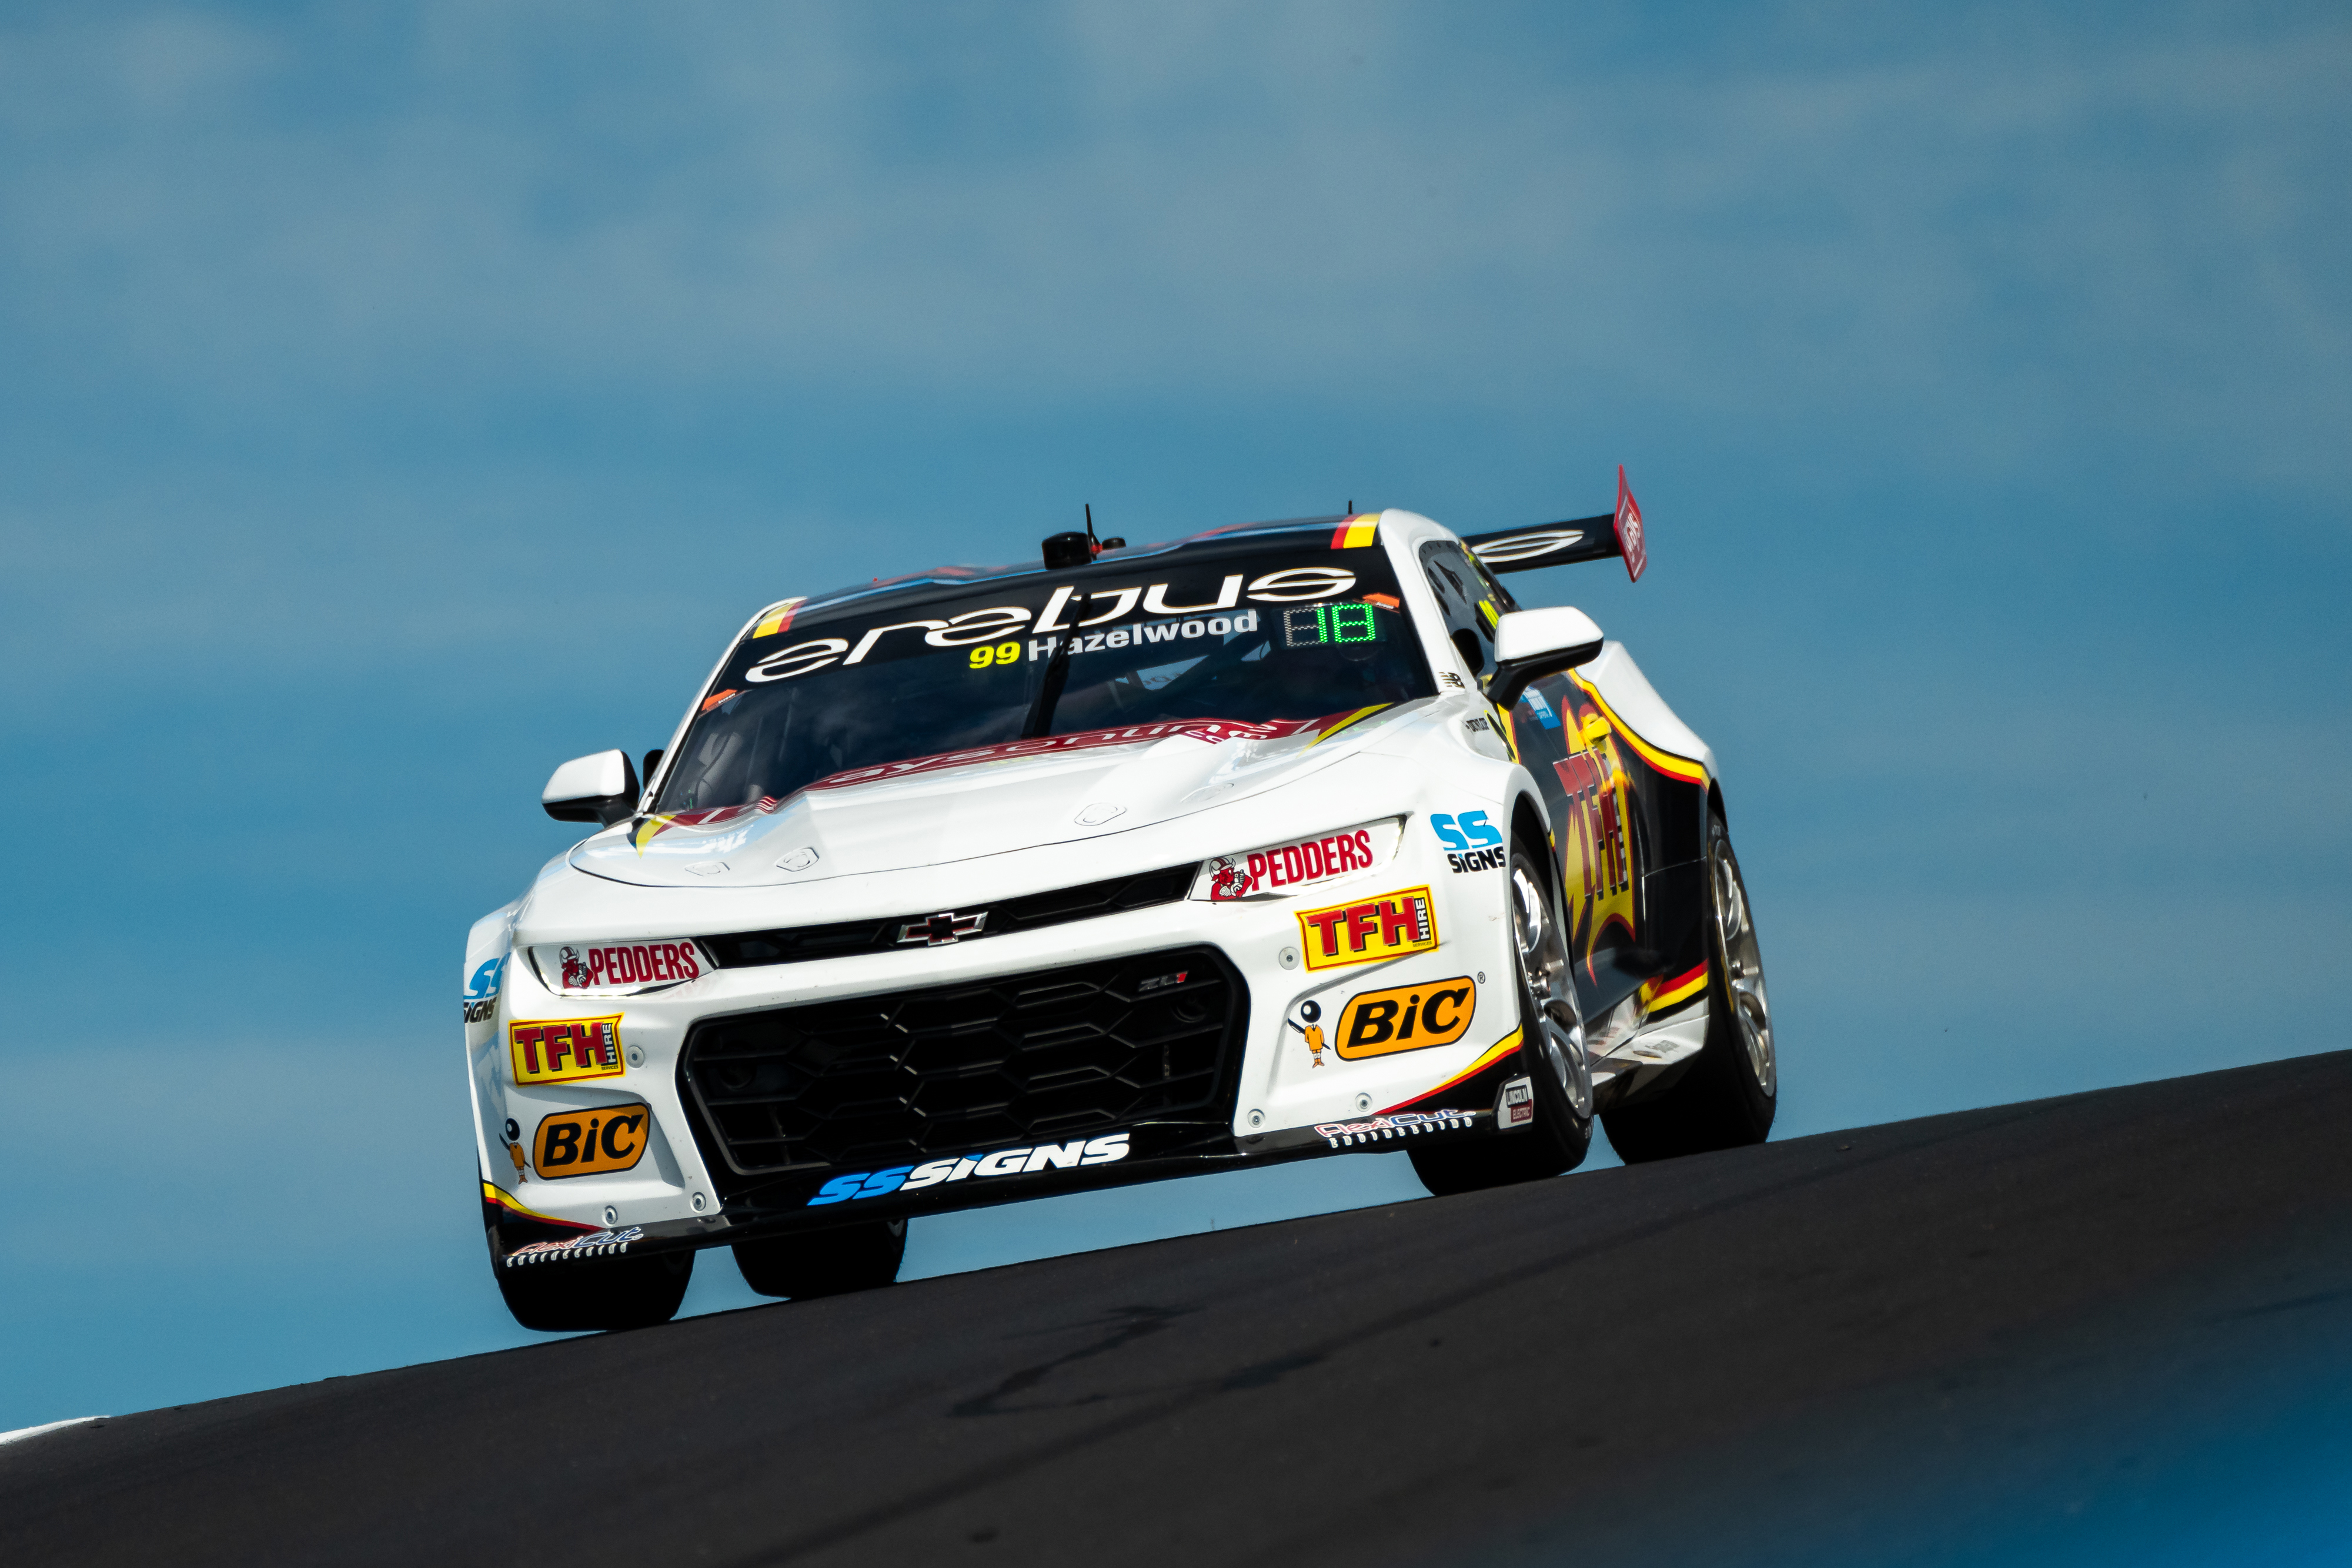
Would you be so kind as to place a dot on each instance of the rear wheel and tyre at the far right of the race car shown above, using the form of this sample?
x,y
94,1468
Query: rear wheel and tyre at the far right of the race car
x,y
1732,1090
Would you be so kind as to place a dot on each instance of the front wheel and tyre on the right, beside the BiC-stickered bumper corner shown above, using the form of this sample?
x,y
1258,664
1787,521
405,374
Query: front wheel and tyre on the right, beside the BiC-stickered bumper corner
x,y
1553,1054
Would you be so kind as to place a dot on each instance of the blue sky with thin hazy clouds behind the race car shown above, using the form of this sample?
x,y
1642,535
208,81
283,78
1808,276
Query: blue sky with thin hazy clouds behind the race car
x,y
401,401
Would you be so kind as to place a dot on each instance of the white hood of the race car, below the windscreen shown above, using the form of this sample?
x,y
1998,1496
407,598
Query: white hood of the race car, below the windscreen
x,y
980,803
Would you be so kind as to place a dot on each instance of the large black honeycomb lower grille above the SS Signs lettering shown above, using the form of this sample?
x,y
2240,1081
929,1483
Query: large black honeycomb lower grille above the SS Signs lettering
x,y
1015,1059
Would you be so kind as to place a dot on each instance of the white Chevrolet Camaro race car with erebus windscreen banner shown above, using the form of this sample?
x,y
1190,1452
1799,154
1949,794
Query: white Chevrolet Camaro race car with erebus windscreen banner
x,y
984,885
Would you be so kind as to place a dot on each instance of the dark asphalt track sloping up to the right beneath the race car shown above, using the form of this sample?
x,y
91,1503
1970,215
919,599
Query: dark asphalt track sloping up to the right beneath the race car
x,y
1643,1365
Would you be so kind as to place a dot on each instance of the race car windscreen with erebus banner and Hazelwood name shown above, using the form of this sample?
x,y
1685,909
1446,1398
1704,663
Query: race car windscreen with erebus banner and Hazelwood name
x,y
1290,626
